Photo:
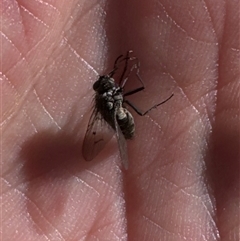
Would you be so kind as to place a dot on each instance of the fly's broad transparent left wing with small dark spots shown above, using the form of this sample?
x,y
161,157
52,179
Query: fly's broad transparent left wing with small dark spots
x,y
98,133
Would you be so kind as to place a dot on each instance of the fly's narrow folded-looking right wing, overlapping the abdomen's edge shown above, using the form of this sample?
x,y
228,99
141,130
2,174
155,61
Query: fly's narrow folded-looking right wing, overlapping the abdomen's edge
x,y
122,143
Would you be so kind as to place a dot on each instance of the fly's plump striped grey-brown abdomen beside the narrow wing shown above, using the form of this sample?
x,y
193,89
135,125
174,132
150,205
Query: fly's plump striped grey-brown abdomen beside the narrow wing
x,y
126,123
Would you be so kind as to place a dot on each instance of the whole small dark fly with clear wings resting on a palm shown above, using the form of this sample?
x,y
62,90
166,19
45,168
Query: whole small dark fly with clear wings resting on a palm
x,y
110,115
